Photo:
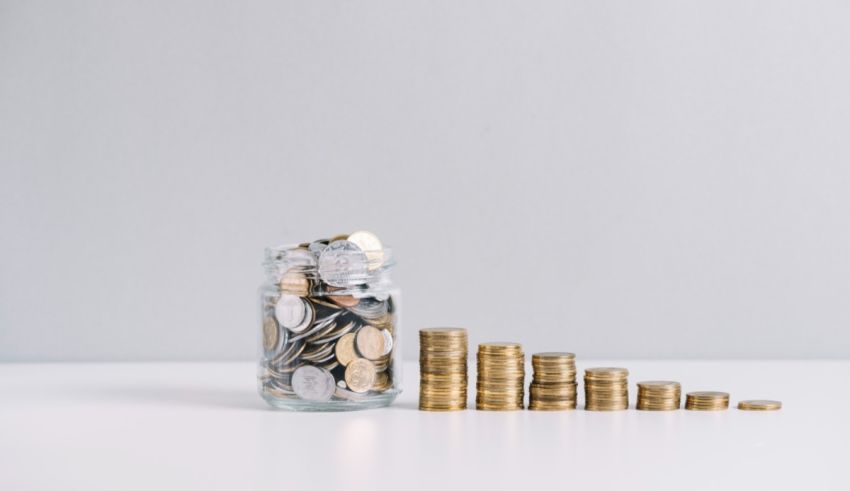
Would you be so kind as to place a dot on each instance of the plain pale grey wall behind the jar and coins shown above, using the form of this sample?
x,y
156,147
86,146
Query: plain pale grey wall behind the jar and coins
x,y
616,178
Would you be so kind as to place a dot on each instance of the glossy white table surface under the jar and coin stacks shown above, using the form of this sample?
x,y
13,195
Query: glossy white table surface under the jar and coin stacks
x,y
155,426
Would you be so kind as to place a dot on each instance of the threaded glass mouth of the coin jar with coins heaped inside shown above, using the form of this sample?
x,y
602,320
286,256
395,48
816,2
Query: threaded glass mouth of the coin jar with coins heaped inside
x,y
334,267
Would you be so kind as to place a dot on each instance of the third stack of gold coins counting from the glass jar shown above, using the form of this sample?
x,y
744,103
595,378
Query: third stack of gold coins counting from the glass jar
x,y
553,387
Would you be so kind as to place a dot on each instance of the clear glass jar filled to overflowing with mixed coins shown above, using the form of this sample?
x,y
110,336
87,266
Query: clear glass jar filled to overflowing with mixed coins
x,y
330,326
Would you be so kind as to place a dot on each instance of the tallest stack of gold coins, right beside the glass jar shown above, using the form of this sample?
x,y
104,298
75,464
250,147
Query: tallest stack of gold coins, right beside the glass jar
x,y
442,368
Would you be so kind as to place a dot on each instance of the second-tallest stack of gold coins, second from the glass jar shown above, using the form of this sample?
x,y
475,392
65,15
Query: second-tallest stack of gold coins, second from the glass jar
x,y
501,377
